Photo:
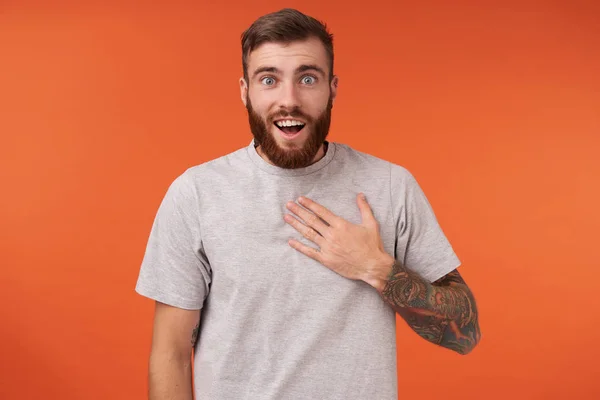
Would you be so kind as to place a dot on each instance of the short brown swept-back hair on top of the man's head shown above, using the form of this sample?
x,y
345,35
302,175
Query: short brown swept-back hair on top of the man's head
x,y
285,26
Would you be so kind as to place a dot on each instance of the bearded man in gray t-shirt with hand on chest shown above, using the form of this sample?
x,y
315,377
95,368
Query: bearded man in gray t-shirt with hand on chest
x,y
271,264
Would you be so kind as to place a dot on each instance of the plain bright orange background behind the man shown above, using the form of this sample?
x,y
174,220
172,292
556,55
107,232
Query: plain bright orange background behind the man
x,y
495,108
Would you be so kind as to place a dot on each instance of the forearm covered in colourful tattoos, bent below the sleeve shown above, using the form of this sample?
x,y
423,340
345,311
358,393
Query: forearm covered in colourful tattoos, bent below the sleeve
x,y
443,312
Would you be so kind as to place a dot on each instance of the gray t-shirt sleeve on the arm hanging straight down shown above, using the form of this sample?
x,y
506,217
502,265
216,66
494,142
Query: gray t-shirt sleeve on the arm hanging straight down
x,y
175,269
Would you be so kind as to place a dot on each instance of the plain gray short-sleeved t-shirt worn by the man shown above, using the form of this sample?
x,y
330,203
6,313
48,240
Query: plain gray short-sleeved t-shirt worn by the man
x,y
276,324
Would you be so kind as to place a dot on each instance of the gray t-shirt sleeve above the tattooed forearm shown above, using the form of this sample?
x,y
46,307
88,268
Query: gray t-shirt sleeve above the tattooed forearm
x,y
421,244
